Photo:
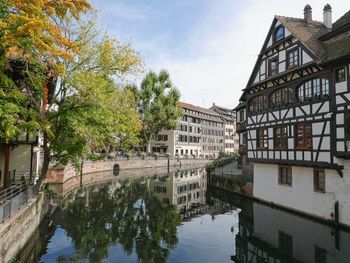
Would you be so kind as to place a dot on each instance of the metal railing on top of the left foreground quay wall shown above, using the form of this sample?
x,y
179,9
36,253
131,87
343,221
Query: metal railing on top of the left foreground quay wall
x,y
14,197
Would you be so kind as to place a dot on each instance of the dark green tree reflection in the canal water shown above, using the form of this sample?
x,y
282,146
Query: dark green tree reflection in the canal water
x,y
130,217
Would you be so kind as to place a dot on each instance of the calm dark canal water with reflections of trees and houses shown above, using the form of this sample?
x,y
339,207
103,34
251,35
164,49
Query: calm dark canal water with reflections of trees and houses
x,y
178,218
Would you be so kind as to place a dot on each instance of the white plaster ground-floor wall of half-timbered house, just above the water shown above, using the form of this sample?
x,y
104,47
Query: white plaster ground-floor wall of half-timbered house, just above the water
x,y
301,195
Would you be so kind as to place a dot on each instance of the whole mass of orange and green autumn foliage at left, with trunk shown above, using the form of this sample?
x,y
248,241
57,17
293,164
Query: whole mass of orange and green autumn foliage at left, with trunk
x,y
88,109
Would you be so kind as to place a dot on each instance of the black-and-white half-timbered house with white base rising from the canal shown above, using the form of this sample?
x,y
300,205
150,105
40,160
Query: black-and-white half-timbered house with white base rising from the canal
x,y
293,118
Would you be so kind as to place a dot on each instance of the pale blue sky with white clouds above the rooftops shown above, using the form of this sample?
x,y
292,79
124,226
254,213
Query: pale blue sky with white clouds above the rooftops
x,y
209,47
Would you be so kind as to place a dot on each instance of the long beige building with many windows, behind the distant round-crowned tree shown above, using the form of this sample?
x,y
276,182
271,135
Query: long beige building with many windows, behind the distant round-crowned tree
x,y
200,133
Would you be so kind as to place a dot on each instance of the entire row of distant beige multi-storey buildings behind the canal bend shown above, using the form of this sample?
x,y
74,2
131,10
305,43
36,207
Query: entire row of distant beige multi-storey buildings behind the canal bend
x,y
200,132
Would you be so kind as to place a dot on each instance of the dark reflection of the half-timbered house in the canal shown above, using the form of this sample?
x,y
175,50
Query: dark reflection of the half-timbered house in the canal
x,y
269,234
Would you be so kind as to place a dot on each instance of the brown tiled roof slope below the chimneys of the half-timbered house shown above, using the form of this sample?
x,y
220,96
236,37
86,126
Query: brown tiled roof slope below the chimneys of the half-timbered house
x,y
307,33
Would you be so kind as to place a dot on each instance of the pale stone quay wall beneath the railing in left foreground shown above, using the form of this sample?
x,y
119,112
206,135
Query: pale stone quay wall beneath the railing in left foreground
x,y
18,229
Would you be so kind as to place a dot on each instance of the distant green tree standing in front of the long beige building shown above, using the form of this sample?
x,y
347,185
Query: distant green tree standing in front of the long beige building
x,y
157,105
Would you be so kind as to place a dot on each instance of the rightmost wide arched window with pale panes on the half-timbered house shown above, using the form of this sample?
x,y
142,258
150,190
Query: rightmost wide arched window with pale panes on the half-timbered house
x,y
313,89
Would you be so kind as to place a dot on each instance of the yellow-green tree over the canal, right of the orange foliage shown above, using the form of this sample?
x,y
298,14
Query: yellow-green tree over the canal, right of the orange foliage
x,y
89,108
